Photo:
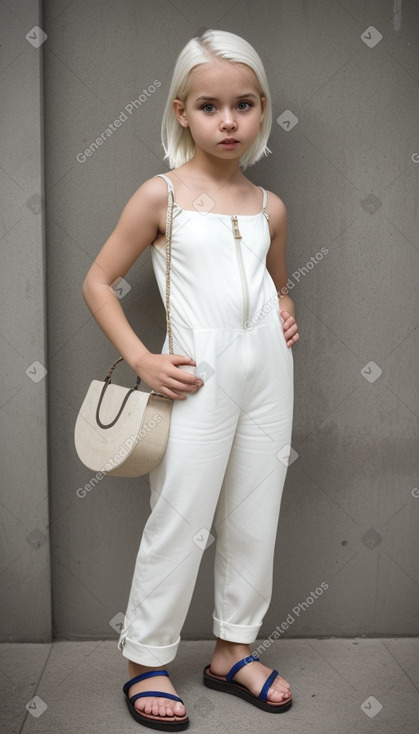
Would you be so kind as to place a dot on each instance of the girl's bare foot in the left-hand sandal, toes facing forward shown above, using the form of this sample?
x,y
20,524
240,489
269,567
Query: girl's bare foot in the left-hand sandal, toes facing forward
x,y
152,704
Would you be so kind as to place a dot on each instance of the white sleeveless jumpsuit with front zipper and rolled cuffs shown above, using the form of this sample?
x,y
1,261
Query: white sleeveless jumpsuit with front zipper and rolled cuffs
x,y
224,467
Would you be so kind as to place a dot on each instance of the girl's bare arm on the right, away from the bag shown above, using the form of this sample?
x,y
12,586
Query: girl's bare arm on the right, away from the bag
x,y
276,265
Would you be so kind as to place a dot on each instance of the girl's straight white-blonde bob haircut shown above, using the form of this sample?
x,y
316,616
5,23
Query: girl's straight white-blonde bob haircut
x,y
177,141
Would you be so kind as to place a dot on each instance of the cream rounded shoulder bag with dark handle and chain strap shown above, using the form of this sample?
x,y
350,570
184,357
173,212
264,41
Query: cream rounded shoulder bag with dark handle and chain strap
x,y
123,431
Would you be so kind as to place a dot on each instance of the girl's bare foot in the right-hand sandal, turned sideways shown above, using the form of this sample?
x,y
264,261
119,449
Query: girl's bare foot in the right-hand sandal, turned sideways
x,y
253,676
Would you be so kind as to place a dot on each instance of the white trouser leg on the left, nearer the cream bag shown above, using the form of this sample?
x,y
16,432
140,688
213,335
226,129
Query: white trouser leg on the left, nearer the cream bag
x,y
184,492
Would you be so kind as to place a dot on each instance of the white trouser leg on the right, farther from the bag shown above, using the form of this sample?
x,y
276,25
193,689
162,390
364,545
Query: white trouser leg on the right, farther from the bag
x,y
247,513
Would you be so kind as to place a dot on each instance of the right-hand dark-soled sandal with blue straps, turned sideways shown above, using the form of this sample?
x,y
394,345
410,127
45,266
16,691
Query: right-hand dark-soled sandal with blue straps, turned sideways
x,y
226,684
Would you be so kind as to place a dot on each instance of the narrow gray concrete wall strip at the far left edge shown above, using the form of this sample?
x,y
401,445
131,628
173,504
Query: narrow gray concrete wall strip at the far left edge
x,y
25,598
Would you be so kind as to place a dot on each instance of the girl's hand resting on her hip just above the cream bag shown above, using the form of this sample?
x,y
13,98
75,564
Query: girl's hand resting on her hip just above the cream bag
x,y
163,374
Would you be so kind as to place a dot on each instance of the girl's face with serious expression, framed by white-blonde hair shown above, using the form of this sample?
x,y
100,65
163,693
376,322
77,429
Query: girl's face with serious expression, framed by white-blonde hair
x,y
224,103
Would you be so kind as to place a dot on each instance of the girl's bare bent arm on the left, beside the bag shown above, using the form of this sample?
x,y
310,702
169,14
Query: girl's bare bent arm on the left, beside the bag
x,y
137,228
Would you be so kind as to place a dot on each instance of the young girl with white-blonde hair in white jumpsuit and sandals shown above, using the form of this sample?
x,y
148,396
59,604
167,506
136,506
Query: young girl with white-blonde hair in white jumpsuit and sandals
x,y
231,377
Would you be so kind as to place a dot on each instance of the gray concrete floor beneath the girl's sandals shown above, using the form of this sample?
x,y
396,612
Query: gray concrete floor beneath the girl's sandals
x,y
344,686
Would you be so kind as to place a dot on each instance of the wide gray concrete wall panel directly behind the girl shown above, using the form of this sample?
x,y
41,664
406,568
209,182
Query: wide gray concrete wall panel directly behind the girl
x,y
347,171
